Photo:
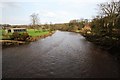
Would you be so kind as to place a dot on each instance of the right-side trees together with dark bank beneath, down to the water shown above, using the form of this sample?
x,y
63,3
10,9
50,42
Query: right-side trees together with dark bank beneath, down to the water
x,y
105,28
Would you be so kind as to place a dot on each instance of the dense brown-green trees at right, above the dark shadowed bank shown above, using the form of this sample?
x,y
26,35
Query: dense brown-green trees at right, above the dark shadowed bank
x,y
107,22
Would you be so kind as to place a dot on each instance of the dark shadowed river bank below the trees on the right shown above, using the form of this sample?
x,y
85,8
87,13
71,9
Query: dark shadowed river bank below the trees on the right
x,y
110,44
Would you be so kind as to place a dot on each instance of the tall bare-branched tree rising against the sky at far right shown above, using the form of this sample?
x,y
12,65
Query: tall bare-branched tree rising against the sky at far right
x,y
110,12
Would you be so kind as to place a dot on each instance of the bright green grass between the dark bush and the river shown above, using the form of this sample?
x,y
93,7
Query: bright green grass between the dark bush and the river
x,y
35,33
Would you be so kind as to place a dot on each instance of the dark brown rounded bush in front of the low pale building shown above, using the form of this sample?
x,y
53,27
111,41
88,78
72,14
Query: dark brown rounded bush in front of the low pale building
x,y
20,36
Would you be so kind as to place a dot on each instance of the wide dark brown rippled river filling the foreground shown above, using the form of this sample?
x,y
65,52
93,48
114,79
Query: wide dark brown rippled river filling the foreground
x,y
62,55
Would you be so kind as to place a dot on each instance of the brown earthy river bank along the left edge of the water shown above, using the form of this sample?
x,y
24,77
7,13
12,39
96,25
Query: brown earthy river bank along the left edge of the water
x,y
11,43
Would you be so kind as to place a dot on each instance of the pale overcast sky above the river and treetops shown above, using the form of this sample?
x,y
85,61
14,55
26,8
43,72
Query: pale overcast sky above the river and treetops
x,y
55,11
